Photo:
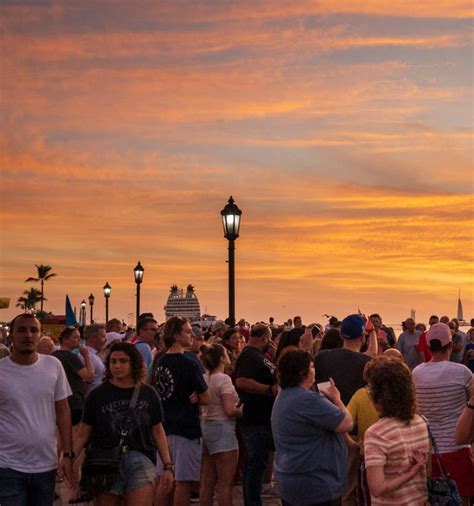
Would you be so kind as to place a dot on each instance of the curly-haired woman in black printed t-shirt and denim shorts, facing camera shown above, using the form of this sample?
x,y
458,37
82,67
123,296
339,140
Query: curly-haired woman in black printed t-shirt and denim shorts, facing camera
x,y
107,413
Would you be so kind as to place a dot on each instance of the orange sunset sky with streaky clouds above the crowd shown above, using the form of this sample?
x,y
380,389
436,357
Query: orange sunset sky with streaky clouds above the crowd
x,y
343,130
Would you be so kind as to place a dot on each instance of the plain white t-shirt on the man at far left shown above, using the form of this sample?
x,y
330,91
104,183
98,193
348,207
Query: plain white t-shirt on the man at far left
x,y
28,415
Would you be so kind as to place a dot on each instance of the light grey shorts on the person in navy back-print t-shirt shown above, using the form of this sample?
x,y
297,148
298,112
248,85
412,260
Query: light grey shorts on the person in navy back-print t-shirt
x,y
186,455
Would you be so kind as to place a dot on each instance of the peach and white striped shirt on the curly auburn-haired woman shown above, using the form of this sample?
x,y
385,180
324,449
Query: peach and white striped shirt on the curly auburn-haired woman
x,y
390,443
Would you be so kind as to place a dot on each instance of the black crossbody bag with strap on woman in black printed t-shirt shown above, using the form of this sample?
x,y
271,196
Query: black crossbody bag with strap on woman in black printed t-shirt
x,y
100,471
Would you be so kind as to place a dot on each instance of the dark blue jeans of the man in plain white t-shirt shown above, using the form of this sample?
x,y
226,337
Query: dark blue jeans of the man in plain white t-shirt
x,y
26,489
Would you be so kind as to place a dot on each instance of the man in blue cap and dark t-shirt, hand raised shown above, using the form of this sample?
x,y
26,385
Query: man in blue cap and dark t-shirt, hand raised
x,y
346,367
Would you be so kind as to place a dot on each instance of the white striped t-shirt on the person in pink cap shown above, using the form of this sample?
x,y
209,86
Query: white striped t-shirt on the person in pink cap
x,y
442,389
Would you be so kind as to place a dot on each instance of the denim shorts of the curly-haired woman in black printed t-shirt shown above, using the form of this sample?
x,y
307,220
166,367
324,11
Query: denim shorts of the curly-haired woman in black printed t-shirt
x,y
136,470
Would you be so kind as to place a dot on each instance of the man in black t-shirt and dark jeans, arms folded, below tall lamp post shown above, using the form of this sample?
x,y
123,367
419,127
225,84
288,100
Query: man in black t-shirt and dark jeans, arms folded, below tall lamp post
x,y
256,386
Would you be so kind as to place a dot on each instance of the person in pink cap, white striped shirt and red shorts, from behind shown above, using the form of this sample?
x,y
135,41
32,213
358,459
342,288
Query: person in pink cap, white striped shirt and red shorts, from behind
x,y
442,390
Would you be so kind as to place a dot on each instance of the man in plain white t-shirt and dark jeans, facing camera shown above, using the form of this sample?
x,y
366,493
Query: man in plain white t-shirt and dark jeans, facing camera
x,y
33,401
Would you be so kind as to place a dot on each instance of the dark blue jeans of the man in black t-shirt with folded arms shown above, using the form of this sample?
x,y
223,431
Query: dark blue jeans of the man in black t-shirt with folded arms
x,y
258,442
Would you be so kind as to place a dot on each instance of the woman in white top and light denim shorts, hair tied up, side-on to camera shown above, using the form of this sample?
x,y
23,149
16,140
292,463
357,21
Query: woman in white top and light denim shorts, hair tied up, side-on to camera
x,y
220,452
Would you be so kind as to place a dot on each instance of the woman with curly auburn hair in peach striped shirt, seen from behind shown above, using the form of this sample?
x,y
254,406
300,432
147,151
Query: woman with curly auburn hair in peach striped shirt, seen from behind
x,y
397,446
